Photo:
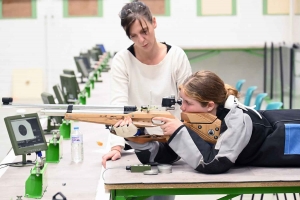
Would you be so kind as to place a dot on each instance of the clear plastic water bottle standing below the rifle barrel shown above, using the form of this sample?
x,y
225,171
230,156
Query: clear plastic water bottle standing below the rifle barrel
x,y
76,145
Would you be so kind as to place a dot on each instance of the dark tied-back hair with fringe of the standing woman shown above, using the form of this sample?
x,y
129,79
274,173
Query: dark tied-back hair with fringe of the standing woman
x,y
135,10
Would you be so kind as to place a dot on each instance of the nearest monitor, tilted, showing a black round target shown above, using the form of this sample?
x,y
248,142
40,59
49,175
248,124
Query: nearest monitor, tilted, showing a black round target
x,y
25,133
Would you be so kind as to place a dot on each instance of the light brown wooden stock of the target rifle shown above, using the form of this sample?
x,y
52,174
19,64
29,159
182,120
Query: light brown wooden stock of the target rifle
x,y
206,125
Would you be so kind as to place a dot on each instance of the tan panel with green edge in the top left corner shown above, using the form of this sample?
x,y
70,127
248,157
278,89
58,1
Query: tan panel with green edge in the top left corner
x,y
15,9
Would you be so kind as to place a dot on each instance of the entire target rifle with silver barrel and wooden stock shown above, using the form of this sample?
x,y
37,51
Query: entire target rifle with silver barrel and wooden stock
x,y
207,126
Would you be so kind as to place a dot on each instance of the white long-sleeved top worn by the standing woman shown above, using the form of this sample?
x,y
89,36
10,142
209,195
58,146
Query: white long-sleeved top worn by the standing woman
x,y
135,83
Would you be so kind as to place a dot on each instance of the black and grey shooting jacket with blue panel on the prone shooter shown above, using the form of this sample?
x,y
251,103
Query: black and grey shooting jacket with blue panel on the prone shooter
x,y
246,139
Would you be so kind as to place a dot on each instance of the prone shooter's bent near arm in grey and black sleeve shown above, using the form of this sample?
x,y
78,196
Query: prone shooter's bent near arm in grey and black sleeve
x,y
219,158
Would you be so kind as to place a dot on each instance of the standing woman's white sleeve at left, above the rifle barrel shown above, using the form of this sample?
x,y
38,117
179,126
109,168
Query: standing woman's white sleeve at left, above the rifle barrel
x,y
119,81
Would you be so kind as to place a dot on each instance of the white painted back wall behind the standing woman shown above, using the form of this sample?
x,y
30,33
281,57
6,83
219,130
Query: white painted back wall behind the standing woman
x,y
50,42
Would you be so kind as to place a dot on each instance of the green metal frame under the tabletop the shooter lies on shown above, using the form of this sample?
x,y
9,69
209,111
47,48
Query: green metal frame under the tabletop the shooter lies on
x,y
130,194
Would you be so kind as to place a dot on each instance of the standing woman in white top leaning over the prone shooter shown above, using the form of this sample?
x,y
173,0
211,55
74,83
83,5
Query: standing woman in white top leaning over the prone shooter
x,y
145,72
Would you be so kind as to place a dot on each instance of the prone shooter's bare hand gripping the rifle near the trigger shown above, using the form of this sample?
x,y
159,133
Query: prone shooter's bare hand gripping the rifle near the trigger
x,y
170,125
